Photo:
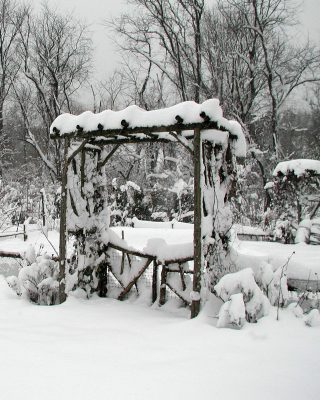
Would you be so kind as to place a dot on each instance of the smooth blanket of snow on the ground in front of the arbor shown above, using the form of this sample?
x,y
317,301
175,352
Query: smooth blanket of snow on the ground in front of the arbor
x,y
106,349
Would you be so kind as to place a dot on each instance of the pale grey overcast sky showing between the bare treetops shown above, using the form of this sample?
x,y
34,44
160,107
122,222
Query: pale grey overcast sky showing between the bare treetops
x,y
95,11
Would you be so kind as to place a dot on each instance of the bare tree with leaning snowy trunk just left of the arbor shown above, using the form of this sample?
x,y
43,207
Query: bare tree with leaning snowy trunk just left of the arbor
x,y
55,53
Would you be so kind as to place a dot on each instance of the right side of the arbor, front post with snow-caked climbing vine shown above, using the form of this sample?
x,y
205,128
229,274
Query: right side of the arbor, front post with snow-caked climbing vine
x,y
214,173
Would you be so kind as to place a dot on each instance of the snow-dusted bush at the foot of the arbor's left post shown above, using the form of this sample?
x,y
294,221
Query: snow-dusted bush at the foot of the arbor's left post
x,y
38,281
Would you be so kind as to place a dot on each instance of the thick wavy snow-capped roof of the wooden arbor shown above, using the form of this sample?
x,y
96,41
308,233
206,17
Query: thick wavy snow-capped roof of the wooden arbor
x,y
133,124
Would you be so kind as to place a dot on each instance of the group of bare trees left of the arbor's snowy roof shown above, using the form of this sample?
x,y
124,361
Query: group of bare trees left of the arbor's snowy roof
x,y
44,60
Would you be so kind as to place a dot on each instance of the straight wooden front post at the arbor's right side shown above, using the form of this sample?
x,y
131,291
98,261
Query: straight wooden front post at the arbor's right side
x,y
197,239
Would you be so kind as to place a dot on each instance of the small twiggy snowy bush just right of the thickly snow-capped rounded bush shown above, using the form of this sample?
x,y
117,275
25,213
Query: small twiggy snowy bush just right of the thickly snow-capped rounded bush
x,y
273,283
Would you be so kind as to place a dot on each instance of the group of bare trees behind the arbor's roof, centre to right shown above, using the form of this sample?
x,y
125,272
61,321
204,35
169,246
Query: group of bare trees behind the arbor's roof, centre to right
x,y
240,51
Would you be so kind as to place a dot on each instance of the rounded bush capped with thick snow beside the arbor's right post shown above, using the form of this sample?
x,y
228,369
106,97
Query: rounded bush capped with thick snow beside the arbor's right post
x,y
252,300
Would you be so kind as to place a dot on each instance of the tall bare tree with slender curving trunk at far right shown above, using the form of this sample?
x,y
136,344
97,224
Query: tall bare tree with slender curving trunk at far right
x,y
285,65
